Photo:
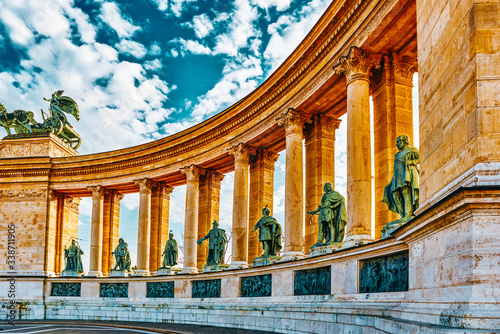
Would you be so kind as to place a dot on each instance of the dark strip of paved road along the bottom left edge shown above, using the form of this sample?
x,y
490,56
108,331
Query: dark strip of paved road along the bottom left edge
x,y
108,327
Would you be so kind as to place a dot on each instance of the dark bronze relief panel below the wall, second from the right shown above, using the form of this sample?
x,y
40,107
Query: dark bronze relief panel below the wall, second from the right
x,y
315,281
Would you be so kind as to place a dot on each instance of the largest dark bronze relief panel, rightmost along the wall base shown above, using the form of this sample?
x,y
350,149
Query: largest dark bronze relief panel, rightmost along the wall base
x,y
384,274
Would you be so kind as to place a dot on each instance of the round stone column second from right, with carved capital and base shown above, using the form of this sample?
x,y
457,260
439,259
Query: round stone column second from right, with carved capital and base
x,y
293,122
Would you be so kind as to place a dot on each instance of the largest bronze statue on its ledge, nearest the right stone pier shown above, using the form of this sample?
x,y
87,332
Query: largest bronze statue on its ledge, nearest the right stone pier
x,y
401,195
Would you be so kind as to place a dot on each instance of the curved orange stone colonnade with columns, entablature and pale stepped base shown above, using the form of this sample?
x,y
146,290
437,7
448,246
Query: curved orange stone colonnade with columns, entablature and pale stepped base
x,y
357,49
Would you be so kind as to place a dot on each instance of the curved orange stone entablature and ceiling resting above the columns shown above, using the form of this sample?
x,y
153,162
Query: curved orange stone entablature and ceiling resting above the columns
x,y
305,81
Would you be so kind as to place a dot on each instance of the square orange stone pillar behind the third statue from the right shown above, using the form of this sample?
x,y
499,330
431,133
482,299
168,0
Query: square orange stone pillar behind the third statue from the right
x,y
261,194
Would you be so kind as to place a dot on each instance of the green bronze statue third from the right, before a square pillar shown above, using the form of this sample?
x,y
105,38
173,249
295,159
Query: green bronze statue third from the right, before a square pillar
x,y
269,233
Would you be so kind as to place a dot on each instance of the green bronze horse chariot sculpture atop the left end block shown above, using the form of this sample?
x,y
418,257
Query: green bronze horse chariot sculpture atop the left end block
x,y
55,121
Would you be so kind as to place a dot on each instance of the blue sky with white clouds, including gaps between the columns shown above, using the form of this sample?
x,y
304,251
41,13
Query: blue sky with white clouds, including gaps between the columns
x,y
144,69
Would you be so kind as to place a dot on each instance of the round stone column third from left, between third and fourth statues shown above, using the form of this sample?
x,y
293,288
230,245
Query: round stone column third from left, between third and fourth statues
x,y
191,218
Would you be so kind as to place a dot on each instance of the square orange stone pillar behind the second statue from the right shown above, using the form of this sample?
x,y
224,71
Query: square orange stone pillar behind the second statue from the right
x,y
320,168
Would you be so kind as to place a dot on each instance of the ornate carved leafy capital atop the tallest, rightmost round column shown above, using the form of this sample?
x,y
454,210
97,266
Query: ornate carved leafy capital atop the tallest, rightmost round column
x,y
357,64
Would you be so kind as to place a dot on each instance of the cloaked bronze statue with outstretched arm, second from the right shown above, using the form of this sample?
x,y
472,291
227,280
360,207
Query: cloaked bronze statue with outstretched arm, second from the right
x,y
332,217
